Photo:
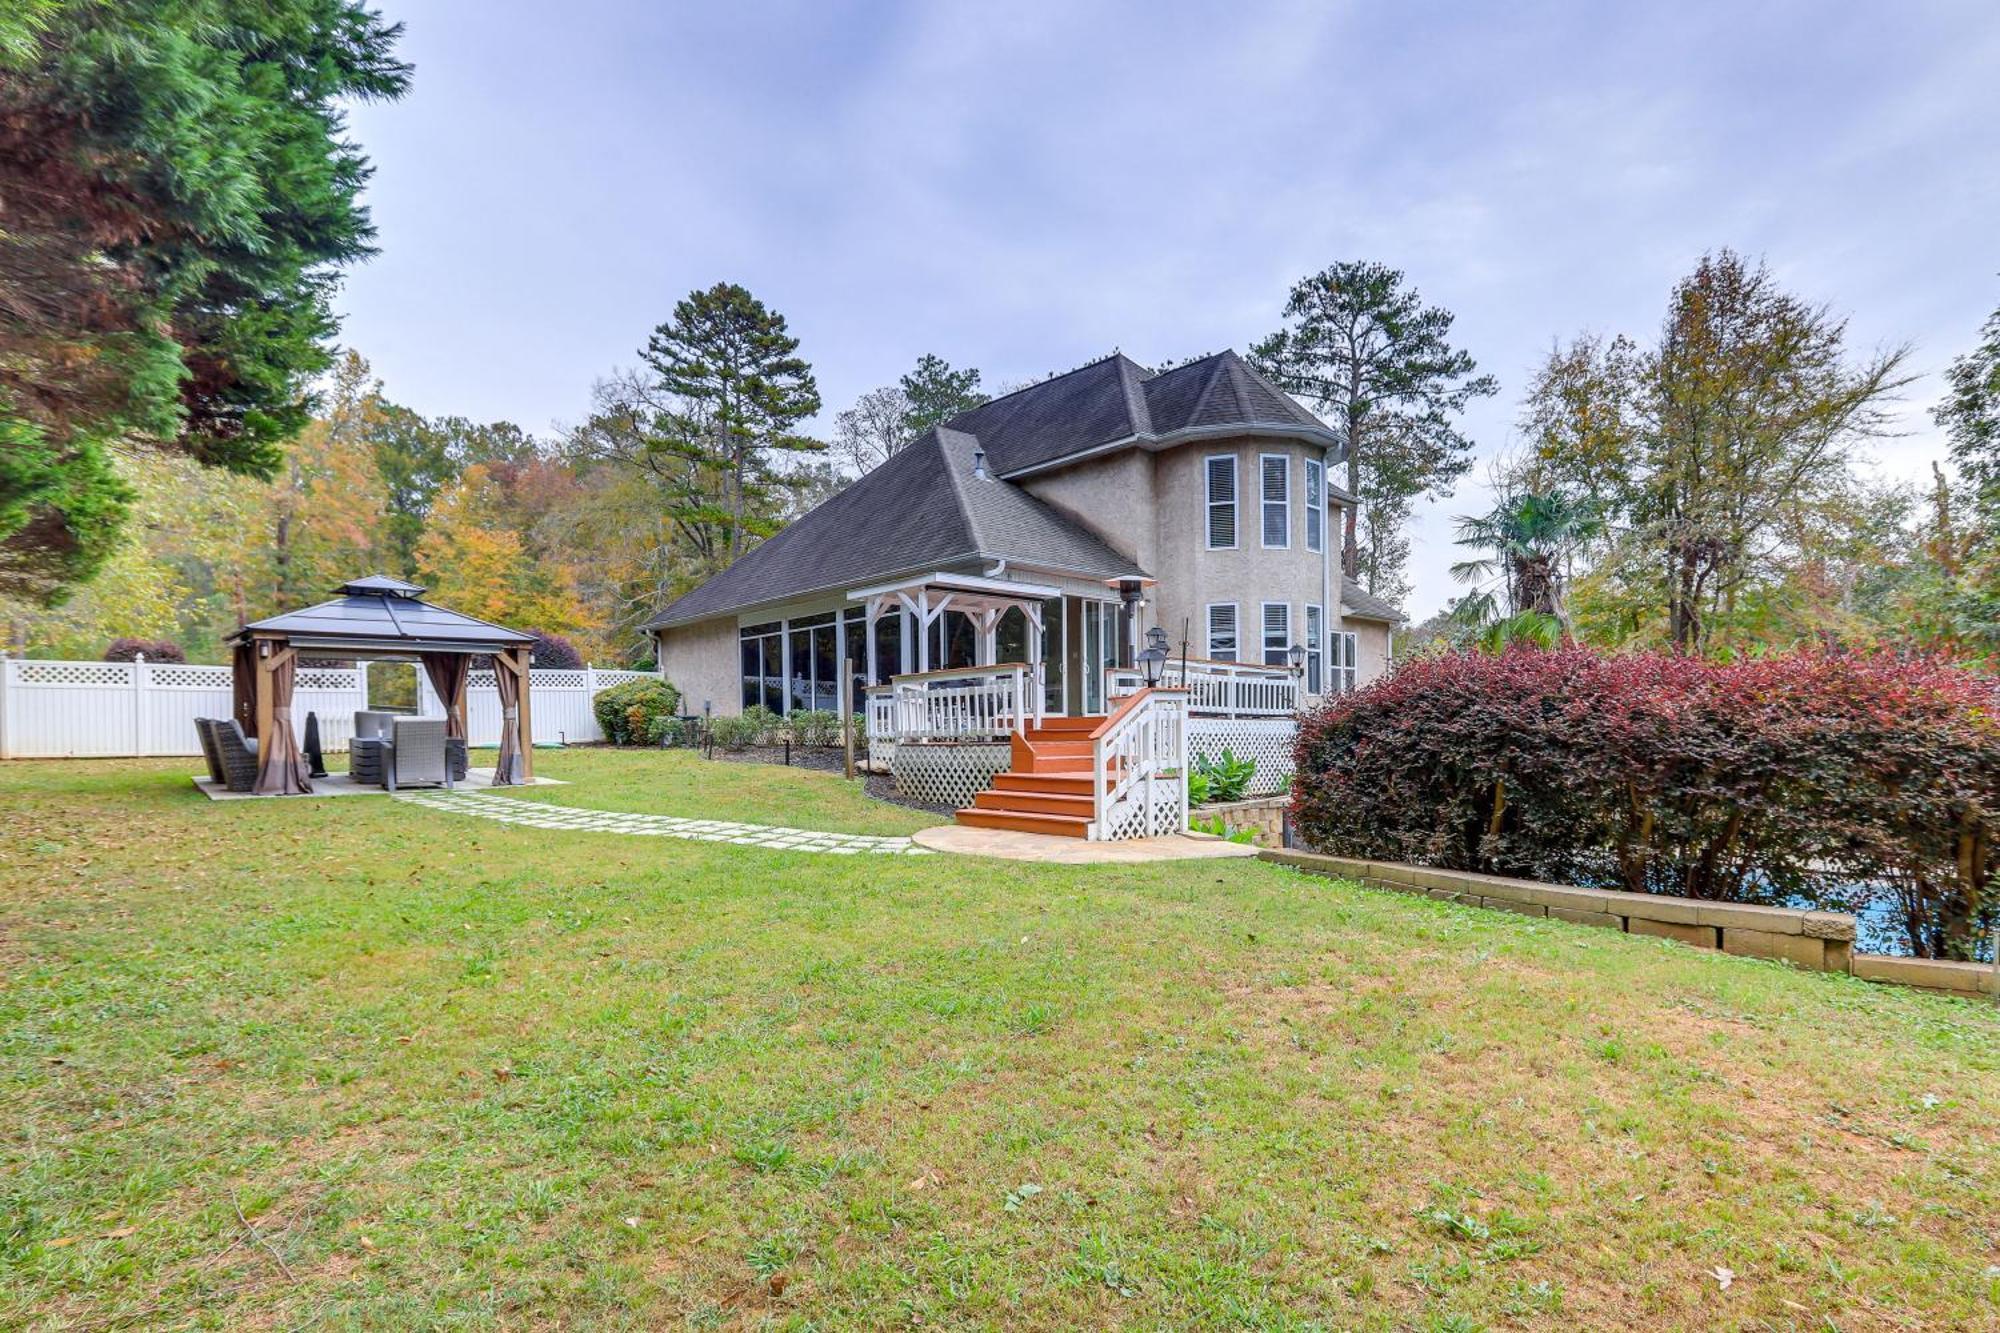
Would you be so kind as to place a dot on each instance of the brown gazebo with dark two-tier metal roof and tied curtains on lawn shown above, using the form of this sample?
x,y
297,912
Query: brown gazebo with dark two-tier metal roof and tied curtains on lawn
x,y
377,619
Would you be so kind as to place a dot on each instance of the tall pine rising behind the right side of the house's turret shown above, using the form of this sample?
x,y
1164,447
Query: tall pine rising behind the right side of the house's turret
x,y
1363,347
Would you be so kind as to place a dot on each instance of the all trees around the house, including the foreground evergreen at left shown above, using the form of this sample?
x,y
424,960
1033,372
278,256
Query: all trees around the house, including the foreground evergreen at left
x,y
183,443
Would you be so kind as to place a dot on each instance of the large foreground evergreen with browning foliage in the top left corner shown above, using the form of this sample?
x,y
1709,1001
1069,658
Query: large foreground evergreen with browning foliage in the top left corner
x,y
179,197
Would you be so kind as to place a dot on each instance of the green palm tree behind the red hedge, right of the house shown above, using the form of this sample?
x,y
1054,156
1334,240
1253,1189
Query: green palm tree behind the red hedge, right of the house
x,y
1531,539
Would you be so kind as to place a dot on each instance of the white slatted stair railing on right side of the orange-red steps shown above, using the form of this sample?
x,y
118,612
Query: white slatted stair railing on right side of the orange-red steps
x,y
1139,768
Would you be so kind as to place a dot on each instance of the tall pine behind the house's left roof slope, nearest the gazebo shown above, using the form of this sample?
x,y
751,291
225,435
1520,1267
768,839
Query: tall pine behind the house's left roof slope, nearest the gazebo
x,y
743,389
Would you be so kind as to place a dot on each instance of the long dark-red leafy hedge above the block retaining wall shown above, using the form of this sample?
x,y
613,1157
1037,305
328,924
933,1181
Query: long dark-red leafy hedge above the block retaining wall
x,y
1817,778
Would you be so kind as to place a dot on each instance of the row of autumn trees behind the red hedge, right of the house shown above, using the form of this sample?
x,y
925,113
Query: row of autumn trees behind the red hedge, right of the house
x,y
1703,491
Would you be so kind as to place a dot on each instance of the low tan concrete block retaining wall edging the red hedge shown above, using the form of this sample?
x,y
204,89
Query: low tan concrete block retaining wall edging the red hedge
x,y
1811,940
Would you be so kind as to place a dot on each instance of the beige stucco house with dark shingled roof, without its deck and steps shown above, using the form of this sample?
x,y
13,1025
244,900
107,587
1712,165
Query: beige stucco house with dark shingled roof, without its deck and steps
x,y
1197,501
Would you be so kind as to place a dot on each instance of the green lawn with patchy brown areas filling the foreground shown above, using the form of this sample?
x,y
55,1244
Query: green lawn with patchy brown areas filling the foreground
x,y
355,1064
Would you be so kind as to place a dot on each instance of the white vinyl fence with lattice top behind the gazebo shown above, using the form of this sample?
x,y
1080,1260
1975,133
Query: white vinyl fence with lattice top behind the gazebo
x,y
133,710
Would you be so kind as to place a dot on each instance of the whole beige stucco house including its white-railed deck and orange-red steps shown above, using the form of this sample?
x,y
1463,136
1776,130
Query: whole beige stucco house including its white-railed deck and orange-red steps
x,y
1059,601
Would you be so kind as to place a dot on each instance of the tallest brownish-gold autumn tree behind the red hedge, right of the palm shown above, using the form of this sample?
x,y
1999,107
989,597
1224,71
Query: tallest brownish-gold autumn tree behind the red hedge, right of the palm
x,y
1723,455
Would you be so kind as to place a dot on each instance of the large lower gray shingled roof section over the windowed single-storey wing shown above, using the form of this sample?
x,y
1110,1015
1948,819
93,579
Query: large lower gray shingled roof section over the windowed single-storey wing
x,y
923,509
